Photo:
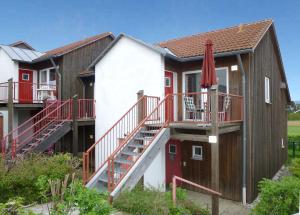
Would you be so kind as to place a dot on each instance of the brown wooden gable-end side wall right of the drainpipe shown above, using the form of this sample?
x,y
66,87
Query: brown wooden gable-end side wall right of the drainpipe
x,y
268,122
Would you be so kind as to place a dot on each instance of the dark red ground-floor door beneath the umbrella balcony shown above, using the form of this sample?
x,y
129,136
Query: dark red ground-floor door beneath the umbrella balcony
x,y
173,160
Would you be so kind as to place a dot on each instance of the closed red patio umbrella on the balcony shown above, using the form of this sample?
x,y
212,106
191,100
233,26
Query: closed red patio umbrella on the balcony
x,y
208,76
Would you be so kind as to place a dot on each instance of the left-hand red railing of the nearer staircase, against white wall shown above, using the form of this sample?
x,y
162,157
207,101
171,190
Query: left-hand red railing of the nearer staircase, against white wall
x,y
96,156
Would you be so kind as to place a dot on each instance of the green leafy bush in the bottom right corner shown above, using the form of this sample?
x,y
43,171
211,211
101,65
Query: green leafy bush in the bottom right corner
x,y
278,197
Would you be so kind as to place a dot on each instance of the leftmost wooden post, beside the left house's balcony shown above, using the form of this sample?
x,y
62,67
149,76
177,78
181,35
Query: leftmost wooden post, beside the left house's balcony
x,y
10,107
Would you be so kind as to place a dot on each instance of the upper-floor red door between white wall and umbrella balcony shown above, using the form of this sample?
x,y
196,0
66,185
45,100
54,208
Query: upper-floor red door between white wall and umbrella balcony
x,y
169,89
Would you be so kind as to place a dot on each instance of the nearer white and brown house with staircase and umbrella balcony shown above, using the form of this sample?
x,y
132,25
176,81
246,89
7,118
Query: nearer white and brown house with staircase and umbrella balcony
x,y
167,131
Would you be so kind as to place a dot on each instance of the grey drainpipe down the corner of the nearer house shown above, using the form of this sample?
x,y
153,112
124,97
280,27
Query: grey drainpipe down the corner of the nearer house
x,y
244,196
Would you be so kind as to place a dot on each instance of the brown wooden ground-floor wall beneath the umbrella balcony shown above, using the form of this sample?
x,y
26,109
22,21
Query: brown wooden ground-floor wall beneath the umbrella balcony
x,y
199,171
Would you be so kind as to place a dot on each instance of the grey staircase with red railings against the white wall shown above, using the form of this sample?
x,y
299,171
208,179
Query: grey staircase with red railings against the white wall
x,y
121,156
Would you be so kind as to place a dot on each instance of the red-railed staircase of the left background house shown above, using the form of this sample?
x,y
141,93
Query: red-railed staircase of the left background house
x,y
39,132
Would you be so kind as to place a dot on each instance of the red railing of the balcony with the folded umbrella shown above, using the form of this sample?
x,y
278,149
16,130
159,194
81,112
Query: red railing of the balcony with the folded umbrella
x,y
195,108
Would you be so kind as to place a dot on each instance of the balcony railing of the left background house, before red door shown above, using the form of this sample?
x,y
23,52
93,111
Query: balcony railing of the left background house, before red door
x,y
23,92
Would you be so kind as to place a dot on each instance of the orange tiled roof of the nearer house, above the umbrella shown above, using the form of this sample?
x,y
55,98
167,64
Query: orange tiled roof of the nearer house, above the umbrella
x,y
244,36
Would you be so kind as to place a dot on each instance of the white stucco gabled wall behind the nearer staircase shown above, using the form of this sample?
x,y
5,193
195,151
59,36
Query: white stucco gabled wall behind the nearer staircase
x,y
127,68
